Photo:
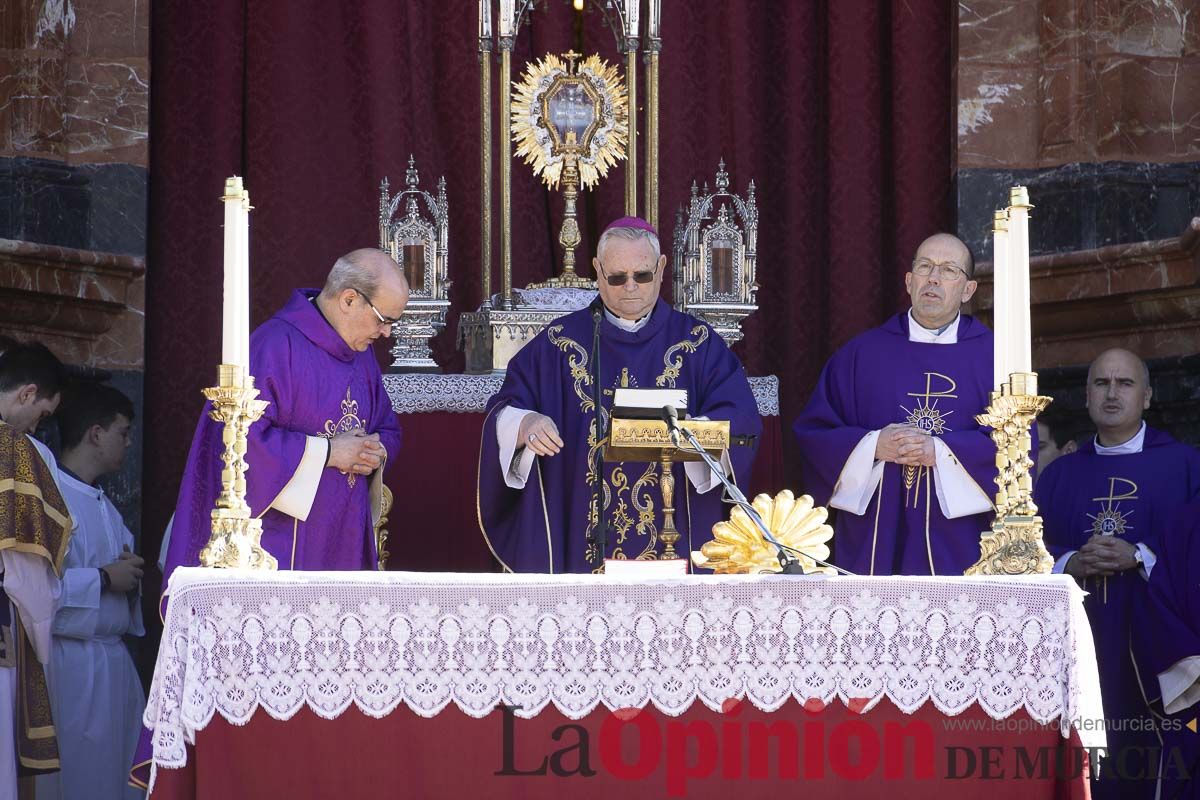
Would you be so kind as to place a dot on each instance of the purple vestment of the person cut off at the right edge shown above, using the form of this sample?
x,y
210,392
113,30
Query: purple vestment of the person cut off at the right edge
x,y
1171,634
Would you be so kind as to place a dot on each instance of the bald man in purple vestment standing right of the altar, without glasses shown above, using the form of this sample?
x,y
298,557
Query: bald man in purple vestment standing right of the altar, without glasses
x,y
1106,510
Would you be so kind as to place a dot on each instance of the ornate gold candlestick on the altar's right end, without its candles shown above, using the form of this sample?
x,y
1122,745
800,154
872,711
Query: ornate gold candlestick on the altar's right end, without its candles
x,y
1015,544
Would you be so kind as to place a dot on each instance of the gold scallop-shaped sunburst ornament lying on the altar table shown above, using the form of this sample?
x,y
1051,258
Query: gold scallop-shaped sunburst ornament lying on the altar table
x,y
739,548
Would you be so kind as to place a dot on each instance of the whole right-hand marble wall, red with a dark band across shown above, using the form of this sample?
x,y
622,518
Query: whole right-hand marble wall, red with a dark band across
x,y
1095,105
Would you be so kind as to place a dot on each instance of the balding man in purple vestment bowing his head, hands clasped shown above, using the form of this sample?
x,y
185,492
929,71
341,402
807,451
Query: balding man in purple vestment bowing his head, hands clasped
x,y
316,456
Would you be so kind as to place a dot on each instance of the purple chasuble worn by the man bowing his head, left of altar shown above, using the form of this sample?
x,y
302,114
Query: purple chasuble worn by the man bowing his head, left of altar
x,y
315,386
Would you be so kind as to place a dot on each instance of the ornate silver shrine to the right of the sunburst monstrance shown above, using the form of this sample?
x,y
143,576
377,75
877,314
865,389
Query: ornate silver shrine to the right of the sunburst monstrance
x,y
716,255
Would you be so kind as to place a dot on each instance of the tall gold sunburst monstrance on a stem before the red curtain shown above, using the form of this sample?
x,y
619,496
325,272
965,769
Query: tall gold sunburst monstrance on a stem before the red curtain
x,y
571,123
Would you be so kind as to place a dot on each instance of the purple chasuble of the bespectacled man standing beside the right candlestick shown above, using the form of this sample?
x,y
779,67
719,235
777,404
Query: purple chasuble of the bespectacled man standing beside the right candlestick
x,y
881,378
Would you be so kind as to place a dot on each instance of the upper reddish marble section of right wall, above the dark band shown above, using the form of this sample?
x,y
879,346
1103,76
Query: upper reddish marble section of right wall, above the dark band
x,y
1052,82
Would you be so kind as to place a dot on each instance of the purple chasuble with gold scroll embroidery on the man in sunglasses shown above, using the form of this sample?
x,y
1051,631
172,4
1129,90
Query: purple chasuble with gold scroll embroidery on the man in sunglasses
x,y
545,527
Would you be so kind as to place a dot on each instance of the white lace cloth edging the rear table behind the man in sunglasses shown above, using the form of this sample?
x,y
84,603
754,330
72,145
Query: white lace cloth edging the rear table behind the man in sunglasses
x,y
419,394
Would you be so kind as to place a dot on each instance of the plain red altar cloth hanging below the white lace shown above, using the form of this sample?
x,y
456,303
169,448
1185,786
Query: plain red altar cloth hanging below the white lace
x,y
838,755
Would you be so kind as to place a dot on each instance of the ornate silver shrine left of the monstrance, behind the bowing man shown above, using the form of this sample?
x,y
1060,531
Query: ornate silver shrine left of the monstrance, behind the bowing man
x,y
418,242
